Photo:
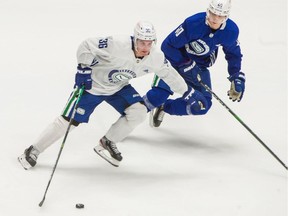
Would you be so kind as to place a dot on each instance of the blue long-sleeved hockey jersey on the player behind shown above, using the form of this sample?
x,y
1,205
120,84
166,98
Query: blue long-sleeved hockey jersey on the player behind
x,y
195,40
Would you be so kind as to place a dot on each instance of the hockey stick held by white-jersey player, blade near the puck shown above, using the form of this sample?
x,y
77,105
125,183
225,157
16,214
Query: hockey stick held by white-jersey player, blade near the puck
x,y
79,92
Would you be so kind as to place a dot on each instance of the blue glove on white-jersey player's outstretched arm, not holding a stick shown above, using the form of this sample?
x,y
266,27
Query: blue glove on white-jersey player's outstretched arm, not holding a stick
x,y
195,100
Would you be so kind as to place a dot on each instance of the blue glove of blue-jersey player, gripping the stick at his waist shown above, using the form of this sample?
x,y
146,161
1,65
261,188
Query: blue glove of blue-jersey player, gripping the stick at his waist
x,y
189,70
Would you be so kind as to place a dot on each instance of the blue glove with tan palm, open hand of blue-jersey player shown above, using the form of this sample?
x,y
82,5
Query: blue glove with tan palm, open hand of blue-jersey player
x,y
237,87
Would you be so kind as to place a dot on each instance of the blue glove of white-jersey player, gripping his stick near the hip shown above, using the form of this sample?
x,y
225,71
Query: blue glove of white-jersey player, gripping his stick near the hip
x,y
83,77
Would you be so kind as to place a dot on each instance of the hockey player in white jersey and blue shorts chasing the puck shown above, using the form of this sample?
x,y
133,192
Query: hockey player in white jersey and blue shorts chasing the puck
x,y
105,66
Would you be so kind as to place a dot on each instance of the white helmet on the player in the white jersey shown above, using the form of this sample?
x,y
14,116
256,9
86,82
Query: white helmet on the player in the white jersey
x,y
144,30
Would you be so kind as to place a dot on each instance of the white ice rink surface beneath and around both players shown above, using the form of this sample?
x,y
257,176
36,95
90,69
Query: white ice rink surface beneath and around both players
x,y
190,166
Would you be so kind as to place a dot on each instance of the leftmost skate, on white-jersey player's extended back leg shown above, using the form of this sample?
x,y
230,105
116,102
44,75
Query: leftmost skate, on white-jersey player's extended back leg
x,y
29,158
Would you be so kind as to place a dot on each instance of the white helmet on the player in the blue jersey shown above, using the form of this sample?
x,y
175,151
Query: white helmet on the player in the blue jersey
x,y
220,7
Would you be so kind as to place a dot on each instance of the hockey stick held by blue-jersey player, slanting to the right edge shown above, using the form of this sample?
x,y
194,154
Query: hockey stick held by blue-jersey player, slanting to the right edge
x,y
239,120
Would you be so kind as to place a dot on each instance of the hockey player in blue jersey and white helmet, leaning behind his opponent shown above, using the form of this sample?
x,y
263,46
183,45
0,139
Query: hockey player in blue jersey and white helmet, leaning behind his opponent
x,y
192,48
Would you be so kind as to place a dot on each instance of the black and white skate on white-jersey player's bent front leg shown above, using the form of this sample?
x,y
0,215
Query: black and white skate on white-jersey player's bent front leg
x,y
114,156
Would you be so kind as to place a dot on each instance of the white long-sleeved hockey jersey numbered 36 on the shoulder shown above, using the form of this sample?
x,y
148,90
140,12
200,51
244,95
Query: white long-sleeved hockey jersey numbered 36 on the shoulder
x,y
113,64
